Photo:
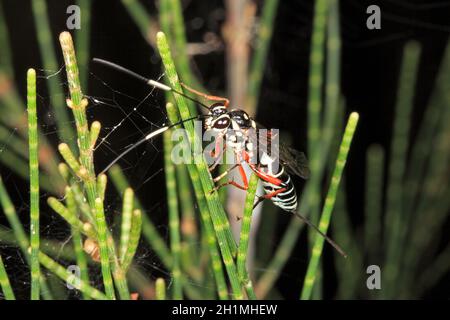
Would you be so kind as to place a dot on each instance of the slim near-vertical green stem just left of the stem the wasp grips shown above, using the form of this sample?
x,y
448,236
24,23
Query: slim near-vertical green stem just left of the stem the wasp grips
x,y
174,219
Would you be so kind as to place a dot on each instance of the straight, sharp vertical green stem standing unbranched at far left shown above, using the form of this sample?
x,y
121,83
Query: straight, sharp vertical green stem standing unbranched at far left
x,y
34,183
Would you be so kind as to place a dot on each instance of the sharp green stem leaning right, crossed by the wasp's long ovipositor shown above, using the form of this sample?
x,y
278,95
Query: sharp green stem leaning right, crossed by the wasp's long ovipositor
x,y
329,205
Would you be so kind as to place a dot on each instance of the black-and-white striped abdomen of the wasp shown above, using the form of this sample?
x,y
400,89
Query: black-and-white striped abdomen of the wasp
x,y
286,200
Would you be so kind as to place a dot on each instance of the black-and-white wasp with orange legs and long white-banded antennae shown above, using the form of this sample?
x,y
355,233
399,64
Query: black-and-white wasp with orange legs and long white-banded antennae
x,y
273,168
